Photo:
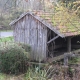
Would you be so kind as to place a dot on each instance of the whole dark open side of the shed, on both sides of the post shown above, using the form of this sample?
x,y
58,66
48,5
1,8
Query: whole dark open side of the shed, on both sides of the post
x,y
60,45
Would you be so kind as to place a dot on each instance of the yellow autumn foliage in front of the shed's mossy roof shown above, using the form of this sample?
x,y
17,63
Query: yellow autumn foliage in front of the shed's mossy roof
x,y
63,16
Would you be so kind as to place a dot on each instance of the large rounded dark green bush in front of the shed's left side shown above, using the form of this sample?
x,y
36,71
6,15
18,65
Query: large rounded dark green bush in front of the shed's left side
x,y
13,59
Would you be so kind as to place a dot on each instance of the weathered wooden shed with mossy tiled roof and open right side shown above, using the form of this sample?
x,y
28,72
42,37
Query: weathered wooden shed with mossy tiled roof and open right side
x,y
45,38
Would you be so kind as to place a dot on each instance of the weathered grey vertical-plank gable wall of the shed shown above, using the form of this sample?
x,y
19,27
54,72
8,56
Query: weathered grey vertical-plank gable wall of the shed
x,y
30,31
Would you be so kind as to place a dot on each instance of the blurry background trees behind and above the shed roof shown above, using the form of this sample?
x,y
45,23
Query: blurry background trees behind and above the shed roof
x,y
11,9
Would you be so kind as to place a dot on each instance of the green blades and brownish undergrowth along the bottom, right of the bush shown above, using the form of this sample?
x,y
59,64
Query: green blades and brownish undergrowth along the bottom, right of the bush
x,y
53,72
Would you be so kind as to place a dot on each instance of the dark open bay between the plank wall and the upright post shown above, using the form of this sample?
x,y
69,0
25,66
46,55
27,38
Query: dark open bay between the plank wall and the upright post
x,y
57,46
